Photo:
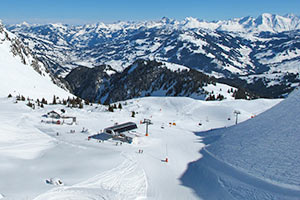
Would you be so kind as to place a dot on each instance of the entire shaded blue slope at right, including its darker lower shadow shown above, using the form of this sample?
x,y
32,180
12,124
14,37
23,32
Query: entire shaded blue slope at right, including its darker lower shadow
x,y
258,157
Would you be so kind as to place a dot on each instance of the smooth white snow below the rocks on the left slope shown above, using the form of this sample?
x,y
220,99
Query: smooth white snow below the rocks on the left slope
x,y
18,78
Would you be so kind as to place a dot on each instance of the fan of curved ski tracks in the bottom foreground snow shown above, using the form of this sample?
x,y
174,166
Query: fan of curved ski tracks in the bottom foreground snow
x,y
126,181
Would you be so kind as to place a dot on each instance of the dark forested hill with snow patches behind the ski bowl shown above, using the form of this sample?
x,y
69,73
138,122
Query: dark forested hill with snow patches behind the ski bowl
x,y
147,78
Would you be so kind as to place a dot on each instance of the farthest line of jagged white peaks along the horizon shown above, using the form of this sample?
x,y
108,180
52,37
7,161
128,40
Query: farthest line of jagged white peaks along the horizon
x,y
273,22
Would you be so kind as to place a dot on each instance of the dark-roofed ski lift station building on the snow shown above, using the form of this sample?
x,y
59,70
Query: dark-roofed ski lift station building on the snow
x,y
120,130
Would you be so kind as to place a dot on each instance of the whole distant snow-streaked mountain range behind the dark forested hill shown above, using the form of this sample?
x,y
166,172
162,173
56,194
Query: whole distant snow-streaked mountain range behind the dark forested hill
x,y
262,51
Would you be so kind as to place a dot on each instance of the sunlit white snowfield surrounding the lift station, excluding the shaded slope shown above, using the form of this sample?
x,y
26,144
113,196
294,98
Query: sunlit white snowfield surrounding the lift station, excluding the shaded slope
x,y
42,160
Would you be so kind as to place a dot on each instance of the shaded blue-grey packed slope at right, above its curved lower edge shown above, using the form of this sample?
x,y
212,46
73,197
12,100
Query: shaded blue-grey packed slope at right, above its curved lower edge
x,y
253,145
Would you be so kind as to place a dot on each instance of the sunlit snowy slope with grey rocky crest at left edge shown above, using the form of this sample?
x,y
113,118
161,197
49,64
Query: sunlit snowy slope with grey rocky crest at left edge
x,y
21,73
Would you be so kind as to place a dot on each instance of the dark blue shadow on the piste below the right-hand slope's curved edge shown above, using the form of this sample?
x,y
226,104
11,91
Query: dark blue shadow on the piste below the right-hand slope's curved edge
x,y
211,178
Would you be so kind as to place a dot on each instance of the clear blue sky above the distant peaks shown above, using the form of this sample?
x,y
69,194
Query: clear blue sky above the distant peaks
x,y
91,11
